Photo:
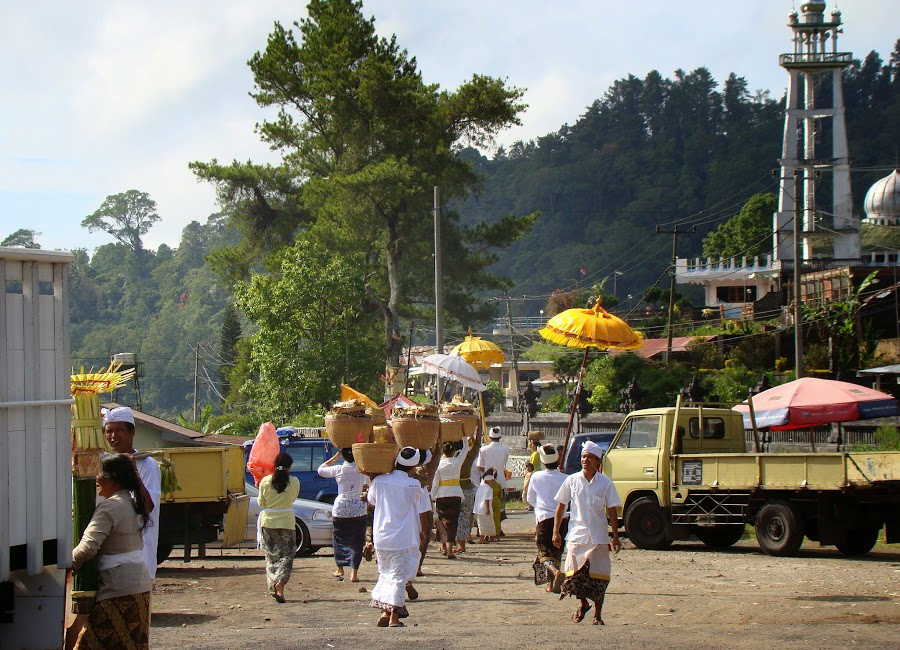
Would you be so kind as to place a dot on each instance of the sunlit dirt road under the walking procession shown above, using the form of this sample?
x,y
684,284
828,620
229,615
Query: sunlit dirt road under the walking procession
x,y
687,597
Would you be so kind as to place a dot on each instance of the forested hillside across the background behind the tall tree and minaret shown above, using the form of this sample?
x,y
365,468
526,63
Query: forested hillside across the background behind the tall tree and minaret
x,y
650,151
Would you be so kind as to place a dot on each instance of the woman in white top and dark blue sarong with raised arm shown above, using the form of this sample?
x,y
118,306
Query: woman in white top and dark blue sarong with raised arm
x,y
348,513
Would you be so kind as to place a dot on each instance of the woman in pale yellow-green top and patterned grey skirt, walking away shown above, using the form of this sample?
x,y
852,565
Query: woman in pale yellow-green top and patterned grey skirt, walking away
x,y
275,526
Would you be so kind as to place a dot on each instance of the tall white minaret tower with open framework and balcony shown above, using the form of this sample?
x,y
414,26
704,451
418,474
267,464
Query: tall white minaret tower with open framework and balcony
x,y
815,116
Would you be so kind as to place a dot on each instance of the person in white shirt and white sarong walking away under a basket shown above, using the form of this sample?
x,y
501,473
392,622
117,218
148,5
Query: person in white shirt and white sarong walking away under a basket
x,y
397,533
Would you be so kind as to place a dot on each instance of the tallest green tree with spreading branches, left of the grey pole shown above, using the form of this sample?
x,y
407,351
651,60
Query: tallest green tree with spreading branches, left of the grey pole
x,y
364,140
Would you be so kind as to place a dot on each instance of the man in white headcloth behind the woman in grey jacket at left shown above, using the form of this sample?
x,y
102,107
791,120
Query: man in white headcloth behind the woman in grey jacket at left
x,y
118,427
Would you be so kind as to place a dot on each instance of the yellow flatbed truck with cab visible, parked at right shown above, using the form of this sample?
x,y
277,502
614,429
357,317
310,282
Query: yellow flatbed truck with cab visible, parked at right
x,y
686,471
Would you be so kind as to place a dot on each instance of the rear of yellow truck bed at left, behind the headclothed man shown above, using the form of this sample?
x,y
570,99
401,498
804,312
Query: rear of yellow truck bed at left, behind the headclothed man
x,y
211,485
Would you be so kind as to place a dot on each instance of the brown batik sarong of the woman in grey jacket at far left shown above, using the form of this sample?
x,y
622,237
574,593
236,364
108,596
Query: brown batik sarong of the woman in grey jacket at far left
x,y
122,622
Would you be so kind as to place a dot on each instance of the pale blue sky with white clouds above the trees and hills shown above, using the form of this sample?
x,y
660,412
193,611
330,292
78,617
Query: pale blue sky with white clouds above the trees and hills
x,y
102,97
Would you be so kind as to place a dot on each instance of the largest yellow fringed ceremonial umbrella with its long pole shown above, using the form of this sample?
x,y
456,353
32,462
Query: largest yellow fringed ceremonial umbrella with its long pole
x,y
589,328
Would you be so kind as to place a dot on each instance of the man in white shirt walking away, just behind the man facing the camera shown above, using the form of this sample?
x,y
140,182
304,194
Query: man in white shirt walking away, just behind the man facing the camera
x,y
542,490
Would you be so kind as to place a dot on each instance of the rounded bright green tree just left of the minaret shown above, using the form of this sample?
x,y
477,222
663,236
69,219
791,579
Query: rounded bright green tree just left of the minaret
x,y
747,233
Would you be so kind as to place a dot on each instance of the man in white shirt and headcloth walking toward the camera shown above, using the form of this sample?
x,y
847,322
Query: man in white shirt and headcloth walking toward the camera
x,y
592,500
